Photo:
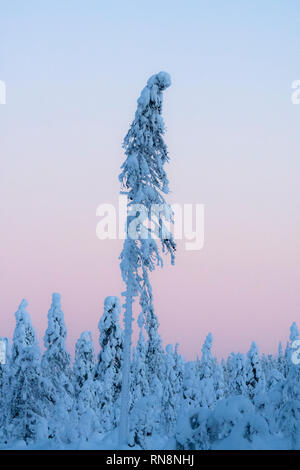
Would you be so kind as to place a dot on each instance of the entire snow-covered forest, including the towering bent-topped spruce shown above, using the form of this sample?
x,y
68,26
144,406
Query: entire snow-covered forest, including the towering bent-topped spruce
x,y
145,397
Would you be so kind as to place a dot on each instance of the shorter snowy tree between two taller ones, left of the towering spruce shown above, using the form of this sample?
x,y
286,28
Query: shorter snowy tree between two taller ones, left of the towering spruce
x,y
85,387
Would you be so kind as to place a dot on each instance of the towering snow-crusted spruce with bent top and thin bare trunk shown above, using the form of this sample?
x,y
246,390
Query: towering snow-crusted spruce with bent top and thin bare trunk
x,y
144,181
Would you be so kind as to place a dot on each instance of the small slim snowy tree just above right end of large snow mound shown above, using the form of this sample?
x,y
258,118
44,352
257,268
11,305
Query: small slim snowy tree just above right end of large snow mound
x,y
254,373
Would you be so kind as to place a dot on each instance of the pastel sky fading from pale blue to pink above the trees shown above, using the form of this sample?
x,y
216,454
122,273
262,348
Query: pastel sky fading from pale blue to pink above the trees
x,y
73,71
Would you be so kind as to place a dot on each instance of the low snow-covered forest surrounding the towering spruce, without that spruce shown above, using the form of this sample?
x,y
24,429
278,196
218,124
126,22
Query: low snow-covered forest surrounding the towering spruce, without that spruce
x,y
247,401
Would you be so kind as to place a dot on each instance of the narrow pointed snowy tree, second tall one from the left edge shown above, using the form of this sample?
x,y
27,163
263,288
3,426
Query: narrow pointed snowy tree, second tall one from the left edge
x,y
57,372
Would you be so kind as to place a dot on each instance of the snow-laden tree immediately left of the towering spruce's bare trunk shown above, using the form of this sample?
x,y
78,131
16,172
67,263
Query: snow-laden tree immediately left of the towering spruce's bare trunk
x,y
108,370
